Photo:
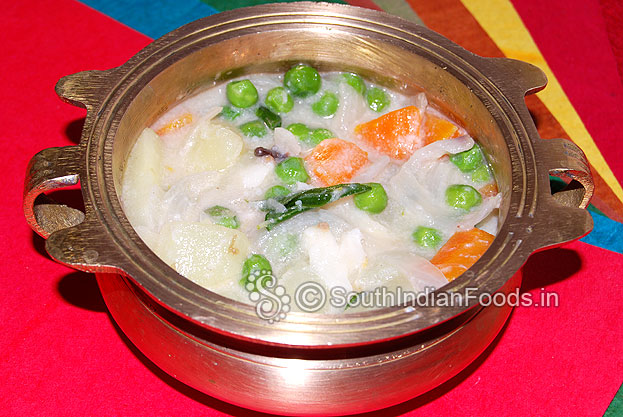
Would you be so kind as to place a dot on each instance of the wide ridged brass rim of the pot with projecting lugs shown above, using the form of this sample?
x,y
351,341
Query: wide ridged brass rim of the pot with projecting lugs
x,y
105,241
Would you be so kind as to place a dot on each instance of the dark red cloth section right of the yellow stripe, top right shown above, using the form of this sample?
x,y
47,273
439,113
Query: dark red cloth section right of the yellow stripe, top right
x,y
574,39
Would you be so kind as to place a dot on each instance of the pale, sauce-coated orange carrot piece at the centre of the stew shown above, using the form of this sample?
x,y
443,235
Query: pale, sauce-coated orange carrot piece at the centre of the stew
x,y
336,161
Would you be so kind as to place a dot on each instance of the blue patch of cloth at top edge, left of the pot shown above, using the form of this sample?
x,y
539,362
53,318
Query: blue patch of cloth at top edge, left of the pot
x,y
153,18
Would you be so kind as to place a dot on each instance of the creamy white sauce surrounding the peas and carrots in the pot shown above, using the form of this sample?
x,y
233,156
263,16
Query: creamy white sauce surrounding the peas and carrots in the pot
x,y
173,178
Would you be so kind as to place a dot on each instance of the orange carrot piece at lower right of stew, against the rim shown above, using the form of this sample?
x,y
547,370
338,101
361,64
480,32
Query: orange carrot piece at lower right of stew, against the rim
x,y
461,251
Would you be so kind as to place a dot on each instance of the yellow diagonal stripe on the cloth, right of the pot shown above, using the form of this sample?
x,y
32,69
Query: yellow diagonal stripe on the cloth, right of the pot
x,y
502,23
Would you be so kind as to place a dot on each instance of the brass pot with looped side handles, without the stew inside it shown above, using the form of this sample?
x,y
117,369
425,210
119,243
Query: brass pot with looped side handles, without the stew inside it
x,y
307,364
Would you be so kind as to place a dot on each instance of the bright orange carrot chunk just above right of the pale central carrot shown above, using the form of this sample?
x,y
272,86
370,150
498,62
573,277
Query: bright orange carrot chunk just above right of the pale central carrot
x,y
396,134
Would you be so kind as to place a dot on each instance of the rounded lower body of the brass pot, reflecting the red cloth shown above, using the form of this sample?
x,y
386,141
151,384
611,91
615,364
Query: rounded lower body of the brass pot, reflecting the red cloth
x,y
299,381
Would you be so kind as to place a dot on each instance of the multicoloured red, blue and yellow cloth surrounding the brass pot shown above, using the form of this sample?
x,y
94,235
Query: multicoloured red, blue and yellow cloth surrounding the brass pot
x,y
62,355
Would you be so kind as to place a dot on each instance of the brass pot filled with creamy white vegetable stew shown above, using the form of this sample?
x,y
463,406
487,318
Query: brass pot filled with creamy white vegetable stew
x,y
253,178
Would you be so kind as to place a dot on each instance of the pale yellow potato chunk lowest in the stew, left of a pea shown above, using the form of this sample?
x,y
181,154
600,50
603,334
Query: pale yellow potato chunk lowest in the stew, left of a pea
x,y
208,254
